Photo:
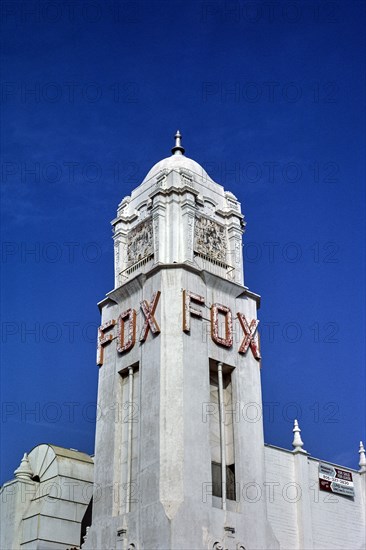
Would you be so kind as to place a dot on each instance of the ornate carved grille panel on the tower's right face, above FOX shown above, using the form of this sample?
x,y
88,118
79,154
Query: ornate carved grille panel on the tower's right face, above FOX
x,y
210,239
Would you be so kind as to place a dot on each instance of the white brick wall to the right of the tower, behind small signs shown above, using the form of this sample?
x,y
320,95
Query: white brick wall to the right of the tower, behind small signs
x,y
329,521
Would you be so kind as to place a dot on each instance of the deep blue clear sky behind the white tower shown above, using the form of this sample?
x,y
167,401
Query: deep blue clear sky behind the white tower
x,y
269,98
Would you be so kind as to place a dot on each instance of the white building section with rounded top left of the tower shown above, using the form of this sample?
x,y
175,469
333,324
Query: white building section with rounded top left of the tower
x,y
47,513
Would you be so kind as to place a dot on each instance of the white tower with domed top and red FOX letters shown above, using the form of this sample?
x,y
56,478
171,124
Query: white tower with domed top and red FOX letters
x,y
179,439
